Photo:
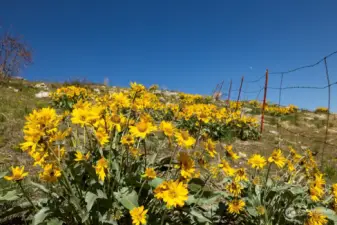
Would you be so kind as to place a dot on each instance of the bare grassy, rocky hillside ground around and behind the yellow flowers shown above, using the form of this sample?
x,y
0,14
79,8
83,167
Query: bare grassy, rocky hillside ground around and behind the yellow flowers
x,y
302,130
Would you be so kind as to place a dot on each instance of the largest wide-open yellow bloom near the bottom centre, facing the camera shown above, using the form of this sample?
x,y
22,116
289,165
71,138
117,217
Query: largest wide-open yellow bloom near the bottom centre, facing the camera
x,y
174,193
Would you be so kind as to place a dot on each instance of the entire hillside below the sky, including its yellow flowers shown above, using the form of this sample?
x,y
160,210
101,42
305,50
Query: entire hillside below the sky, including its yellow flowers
x,y
80,129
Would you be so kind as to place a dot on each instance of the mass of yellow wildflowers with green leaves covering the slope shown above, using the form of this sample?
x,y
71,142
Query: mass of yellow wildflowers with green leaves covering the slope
x,y
122,155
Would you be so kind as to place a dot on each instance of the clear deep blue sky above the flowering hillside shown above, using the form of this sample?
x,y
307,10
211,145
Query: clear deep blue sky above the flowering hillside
x,y
182,45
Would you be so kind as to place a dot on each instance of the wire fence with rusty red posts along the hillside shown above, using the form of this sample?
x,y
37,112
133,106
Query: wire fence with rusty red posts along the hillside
x,y
283,76
